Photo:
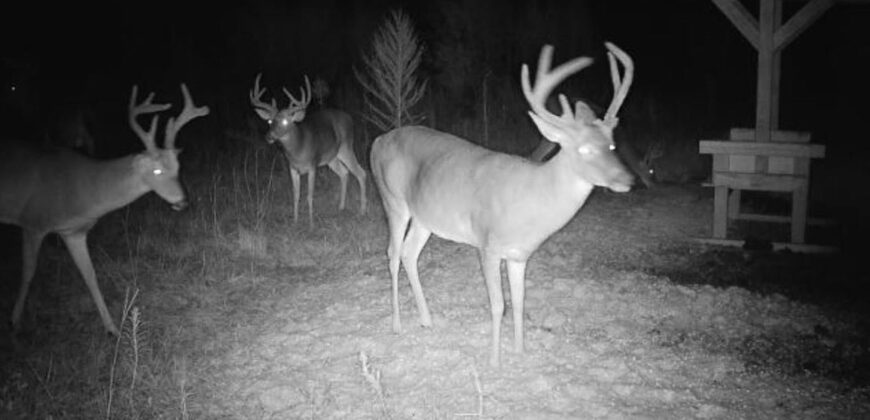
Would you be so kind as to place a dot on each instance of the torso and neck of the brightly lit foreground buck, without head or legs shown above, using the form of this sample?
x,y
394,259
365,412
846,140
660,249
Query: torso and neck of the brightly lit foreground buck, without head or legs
x,y
468,194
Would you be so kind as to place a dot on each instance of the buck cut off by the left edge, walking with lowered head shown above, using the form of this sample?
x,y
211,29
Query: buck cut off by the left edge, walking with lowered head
x,y
63,192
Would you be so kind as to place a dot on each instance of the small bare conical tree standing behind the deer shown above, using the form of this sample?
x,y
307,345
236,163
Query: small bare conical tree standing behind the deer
x,y
388,75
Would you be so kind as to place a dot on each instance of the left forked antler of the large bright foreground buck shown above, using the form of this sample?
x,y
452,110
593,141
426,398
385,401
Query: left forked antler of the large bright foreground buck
x,y
546,80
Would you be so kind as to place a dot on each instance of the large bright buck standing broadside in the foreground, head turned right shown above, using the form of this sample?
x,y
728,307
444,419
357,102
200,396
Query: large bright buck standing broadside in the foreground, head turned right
x,y
503,205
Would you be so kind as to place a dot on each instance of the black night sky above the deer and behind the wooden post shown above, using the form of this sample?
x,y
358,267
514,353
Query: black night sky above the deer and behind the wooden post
x,y
687,53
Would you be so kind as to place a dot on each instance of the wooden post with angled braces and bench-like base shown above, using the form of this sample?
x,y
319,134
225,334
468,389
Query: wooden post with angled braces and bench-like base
x,y
764,158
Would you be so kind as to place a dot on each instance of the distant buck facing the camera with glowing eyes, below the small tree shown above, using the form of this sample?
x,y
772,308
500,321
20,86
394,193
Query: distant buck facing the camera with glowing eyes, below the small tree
x,y
311,140
